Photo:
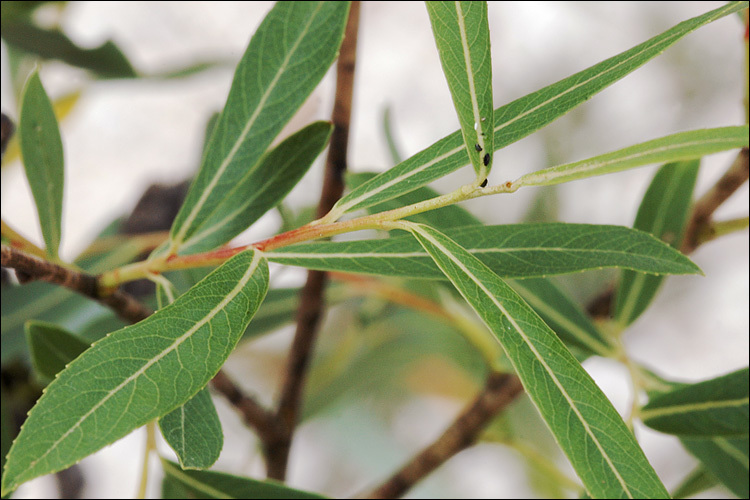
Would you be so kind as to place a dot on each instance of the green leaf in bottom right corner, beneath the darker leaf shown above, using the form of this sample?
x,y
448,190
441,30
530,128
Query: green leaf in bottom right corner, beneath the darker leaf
x,y
727,459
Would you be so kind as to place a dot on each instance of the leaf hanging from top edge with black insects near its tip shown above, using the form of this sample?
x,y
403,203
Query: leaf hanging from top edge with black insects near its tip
x,y
462,35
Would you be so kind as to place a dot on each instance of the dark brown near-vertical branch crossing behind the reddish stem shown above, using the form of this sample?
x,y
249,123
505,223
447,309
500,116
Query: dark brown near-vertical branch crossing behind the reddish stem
x,y
311,296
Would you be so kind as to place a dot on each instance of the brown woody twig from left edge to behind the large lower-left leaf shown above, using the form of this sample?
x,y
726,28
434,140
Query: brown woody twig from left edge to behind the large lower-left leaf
x,y
31,268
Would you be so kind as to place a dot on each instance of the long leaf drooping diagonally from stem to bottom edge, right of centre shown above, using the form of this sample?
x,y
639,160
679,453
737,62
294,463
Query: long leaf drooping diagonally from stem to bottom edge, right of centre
x,y
597,442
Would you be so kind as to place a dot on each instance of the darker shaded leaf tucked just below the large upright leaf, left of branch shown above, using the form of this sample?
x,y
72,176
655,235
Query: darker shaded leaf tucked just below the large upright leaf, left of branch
x,y
260,188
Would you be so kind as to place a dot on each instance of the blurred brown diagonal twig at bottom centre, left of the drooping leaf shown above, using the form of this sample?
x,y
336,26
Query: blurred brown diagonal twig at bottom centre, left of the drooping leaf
x,y
499,391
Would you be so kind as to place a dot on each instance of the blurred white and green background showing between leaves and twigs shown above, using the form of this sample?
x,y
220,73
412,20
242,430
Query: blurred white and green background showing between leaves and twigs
x,y
121,135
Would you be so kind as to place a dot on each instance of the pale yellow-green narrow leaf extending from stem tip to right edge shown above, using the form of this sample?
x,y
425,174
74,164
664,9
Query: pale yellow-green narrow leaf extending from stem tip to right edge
x,y
676,147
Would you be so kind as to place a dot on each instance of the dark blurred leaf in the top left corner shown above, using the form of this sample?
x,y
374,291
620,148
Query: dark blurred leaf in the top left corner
x,y
107,60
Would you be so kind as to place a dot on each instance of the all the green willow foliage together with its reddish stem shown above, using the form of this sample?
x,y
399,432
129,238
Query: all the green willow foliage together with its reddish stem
x,y
158,369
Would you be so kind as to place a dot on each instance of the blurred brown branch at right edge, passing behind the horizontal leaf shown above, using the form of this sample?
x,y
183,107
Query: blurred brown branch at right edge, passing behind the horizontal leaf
x,y
699,226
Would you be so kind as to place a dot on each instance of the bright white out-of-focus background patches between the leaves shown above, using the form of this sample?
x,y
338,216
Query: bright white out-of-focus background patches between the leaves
x,y
124,135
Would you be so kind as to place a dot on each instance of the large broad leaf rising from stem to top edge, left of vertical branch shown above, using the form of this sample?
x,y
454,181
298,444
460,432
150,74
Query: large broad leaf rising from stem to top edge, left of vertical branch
x,y
286,58
